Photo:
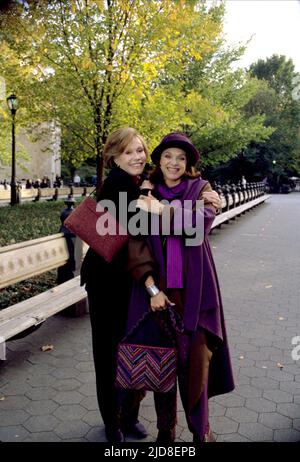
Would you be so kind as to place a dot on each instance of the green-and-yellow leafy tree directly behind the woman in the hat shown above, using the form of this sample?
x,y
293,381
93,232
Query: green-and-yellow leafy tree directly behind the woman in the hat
x,y
204,97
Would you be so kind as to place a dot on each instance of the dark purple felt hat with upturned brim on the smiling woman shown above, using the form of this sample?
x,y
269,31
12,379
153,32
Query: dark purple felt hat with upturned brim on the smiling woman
x,y
176,140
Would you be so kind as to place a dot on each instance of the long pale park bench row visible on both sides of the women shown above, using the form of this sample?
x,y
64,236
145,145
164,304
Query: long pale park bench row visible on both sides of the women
x,y
19,262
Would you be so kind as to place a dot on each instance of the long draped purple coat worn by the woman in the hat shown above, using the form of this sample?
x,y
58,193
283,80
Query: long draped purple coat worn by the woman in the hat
x,y
201,294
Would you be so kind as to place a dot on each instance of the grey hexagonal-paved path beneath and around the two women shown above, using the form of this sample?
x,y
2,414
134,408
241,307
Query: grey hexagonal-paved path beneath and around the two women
x,y
50,396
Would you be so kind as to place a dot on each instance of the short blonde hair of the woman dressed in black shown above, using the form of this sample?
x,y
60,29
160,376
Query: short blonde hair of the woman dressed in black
x,y
117,142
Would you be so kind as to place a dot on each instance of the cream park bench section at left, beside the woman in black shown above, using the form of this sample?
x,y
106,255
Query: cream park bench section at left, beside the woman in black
x,y
19,262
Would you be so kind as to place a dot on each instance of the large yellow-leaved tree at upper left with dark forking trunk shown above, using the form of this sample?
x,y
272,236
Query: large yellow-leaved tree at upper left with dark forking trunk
x,y
80,58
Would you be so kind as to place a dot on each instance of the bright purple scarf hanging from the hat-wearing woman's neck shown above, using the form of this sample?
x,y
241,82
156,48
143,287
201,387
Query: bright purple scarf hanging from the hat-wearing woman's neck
x,y
174,243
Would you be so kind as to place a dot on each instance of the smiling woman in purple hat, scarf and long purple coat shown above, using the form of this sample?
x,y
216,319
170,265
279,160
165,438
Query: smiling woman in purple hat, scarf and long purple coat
x,y
187,275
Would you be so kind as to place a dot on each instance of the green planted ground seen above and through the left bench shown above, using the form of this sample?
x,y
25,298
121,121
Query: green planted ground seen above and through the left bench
x,y
25,222
